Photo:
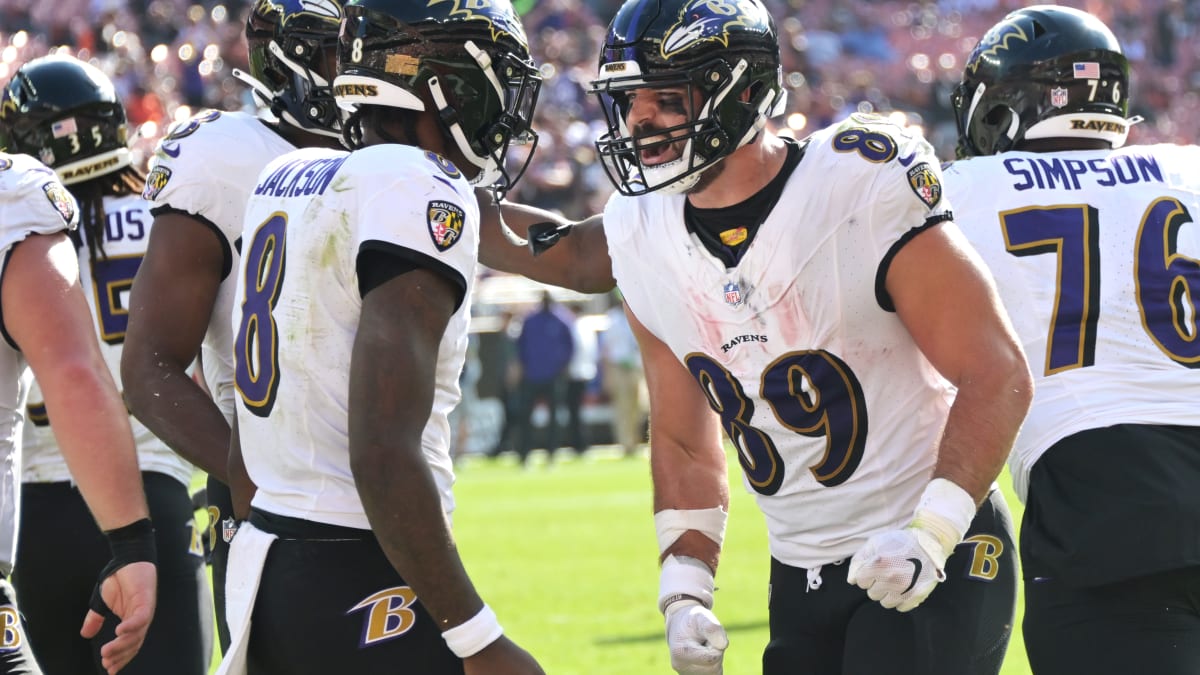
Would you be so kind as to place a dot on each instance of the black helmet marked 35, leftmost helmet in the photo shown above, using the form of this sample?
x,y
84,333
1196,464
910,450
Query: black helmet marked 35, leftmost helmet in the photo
x,y
65,112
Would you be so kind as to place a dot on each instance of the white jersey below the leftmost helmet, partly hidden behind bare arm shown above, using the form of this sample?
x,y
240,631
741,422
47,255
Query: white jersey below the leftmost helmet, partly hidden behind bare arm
x,y
107,285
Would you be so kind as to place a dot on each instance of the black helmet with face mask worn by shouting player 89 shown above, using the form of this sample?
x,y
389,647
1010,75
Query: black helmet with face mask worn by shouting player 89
x,y
729,52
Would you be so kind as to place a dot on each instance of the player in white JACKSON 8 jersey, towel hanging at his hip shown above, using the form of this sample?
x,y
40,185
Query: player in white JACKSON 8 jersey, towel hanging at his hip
x,y
351,332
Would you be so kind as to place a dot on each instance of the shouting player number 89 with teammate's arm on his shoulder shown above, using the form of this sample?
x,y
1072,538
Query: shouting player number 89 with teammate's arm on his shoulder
x,y
815,302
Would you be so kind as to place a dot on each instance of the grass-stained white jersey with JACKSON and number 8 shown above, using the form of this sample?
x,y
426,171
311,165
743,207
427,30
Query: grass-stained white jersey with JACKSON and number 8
x,y
298,312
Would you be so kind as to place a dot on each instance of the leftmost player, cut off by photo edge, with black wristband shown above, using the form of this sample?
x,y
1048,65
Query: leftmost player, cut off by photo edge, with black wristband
x,y
47,326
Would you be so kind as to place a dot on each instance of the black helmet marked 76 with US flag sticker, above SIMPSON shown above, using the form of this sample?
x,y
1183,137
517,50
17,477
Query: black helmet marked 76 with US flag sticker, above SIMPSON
x,y
1042,73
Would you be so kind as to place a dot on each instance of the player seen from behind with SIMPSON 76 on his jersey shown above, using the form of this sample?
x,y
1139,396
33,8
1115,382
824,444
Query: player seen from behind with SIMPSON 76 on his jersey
x,y
1097,255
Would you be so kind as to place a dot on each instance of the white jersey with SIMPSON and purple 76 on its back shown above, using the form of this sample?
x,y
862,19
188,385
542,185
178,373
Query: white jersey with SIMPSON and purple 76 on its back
x,y
1099,262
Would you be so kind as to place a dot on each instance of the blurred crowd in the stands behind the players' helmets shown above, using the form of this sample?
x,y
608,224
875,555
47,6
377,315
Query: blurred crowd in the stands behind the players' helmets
x,y
171,58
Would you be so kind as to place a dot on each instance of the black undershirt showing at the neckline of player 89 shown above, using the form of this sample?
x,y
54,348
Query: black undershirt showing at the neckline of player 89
x,y
710,224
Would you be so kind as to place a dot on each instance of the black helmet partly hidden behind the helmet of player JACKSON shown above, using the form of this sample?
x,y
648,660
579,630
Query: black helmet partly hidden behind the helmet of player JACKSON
x,y
290,44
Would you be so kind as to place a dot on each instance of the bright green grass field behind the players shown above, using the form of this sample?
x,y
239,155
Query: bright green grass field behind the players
x,y
566,554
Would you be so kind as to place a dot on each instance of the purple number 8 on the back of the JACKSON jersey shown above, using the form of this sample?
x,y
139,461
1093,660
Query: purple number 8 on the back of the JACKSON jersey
x,y
257,348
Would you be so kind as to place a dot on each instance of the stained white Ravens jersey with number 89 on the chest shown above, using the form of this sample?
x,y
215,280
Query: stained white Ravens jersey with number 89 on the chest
x,y
833,410
